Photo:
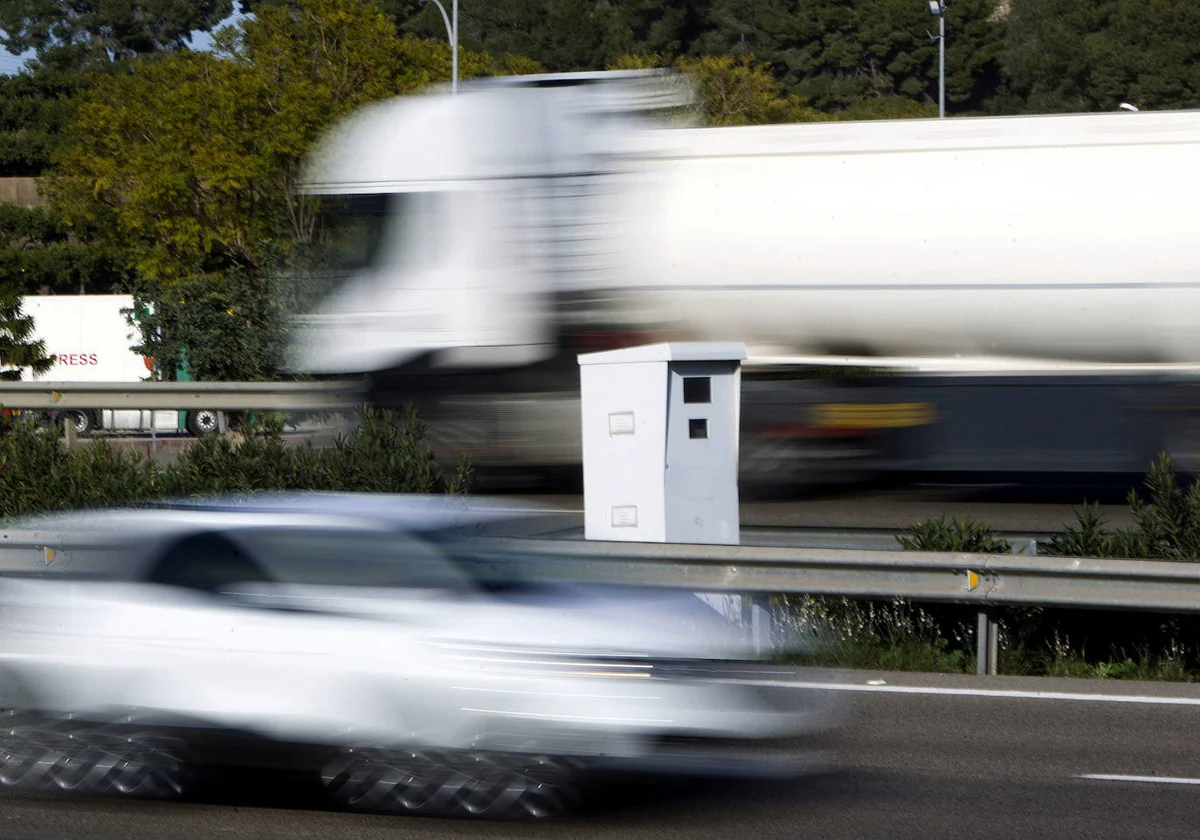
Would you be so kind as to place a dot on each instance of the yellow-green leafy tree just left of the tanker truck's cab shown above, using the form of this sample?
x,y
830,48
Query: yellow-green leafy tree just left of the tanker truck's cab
x,y
189,163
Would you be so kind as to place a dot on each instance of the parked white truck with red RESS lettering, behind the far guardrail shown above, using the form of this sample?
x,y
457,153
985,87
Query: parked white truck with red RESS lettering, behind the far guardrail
x,y
92,341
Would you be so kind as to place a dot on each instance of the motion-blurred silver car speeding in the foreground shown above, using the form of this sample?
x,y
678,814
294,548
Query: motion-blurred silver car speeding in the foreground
x,y
383,643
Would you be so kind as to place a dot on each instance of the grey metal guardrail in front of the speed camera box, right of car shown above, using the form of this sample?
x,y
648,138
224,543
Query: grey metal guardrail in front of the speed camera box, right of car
x,y
982,580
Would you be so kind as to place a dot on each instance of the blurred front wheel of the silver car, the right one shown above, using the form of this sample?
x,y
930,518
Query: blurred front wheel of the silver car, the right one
x,y
477,784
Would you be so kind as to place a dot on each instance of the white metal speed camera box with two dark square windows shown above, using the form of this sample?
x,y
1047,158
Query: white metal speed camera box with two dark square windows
x,y
661,443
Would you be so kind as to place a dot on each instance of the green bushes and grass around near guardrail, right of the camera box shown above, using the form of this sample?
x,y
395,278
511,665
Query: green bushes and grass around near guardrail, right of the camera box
x,y
1033,641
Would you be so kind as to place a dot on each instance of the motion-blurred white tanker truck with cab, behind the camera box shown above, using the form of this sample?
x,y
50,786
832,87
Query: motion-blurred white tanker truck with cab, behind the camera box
x,y
1045,262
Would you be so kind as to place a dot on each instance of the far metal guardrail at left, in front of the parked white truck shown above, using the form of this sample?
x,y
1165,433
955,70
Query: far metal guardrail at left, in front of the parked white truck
x,y
219,397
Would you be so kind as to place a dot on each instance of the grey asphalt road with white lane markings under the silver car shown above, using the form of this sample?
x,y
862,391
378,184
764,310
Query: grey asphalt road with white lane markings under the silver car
x,y
922,758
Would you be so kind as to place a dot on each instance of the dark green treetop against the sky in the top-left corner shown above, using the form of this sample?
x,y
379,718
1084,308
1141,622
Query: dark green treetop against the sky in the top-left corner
x,y
69,34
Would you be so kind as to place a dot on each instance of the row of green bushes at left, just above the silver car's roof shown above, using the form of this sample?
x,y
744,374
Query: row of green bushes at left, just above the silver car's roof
x,y
387,453
